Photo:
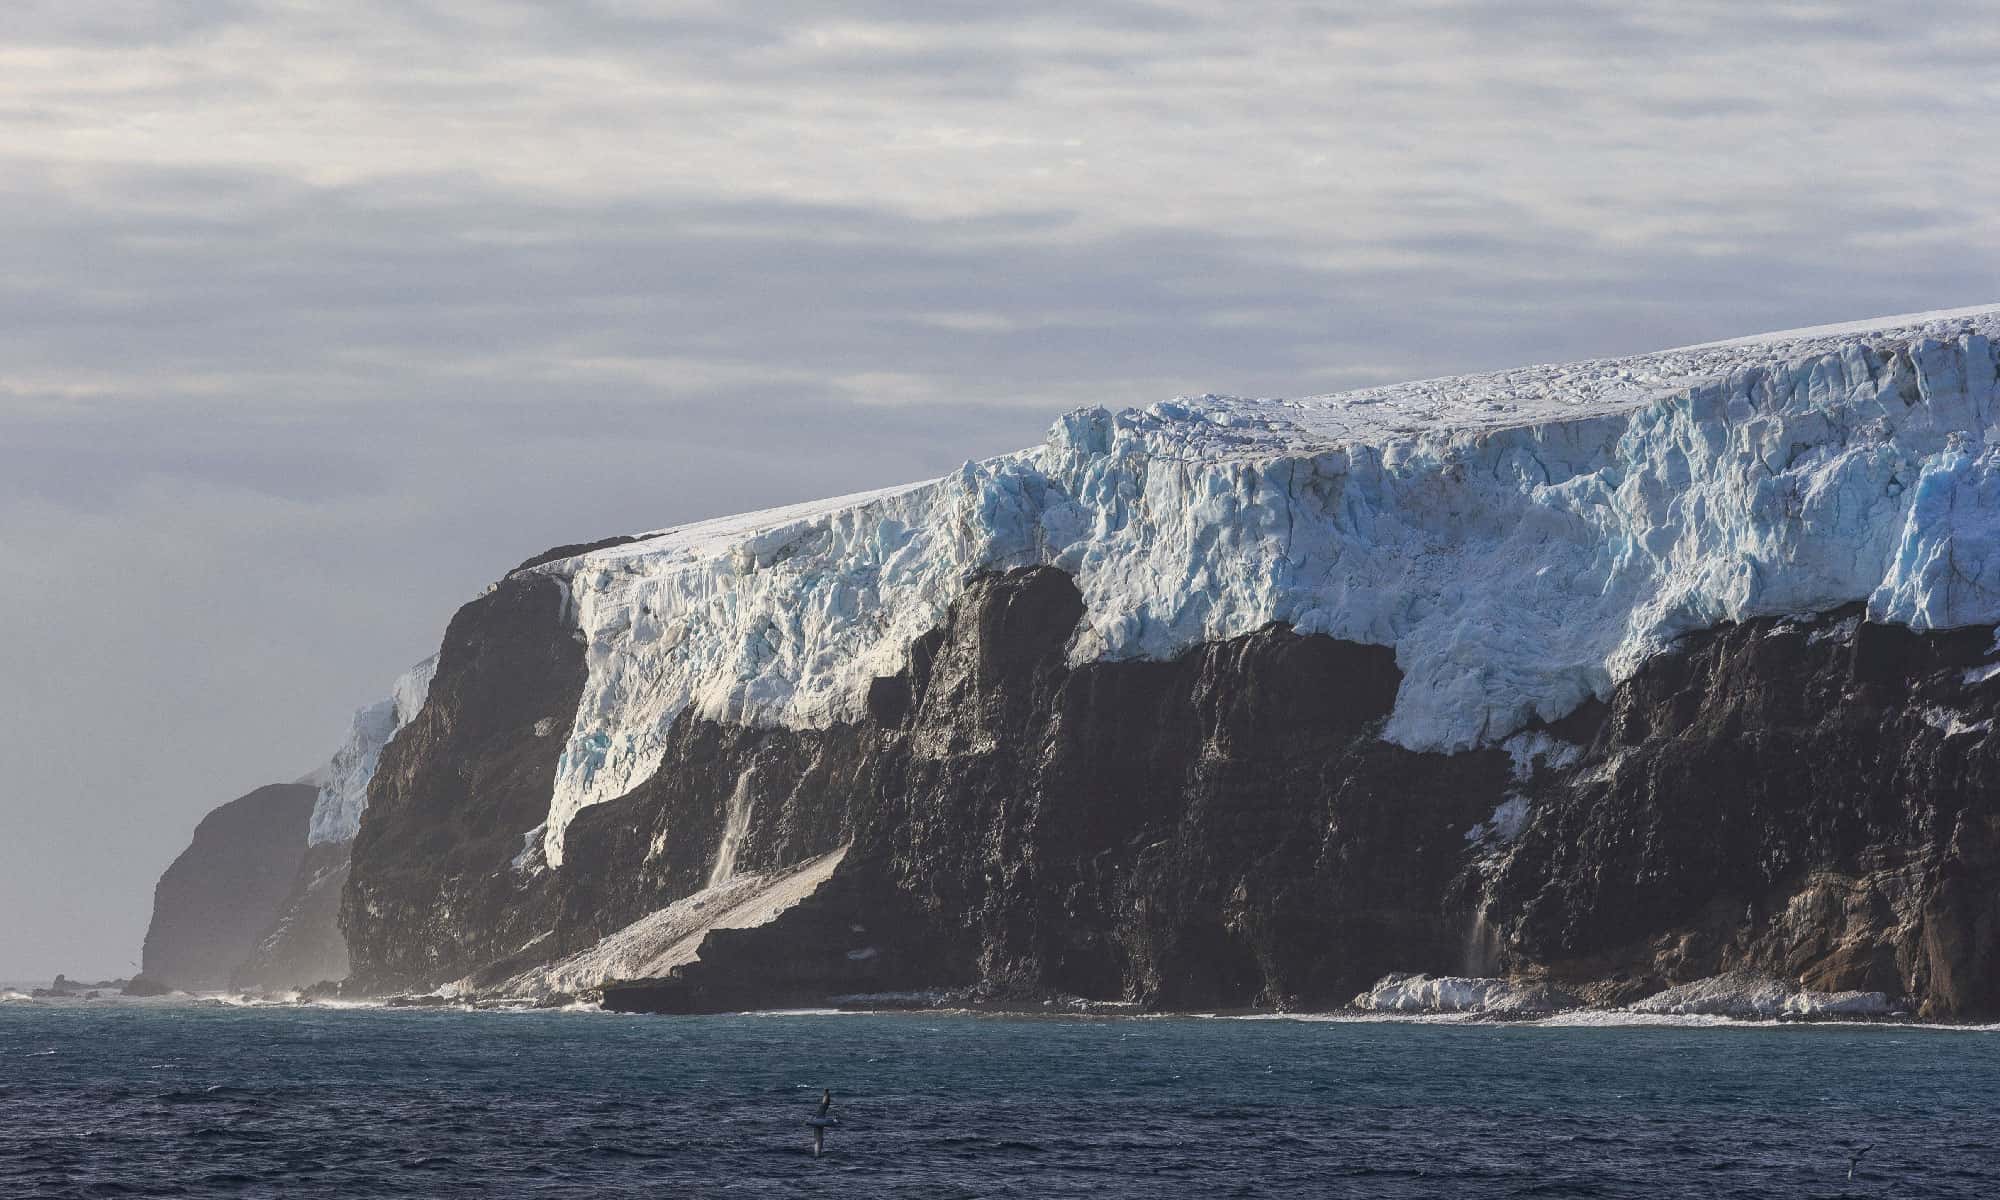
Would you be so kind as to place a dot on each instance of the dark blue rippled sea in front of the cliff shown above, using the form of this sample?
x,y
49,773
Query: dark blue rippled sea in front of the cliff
x,y
119,1099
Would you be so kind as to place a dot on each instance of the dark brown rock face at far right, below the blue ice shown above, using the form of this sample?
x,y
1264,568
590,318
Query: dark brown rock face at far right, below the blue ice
x,y
1815,799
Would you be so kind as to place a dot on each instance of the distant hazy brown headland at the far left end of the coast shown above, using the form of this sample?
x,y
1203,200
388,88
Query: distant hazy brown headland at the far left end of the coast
x,y
227,887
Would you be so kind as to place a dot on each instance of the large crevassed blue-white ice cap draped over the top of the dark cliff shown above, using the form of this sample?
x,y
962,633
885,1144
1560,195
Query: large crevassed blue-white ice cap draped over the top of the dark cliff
x,y
1523,539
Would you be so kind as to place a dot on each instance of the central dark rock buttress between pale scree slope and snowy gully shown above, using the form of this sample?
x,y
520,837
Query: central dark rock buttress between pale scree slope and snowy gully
x,y
1213,831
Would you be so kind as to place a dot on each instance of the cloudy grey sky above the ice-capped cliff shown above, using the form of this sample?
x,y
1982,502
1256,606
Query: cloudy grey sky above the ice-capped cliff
x,y
317,317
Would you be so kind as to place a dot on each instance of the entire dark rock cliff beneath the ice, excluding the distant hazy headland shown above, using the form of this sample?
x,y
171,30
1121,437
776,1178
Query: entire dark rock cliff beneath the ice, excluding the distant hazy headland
x,y
1225,829
